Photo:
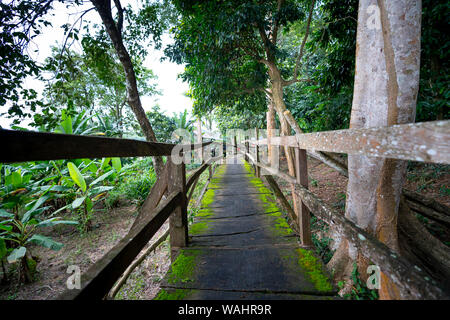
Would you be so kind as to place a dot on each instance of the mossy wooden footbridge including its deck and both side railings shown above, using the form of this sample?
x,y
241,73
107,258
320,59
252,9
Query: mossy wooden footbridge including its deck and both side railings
x,y
240,245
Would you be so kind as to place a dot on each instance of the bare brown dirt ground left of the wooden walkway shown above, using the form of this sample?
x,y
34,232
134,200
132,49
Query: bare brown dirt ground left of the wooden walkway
x,y
83,251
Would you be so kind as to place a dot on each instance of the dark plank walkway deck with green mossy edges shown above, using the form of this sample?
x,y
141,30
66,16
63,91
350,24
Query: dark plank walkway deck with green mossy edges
x,y
241,247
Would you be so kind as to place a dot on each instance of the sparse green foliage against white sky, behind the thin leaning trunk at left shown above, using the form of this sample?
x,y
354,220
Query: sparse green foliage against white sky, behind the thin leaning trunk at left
x,y
92,82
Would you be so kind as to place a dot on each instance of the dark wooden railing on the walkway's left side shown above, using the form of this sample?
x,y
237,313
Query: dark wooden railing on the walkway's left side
x,y
97,281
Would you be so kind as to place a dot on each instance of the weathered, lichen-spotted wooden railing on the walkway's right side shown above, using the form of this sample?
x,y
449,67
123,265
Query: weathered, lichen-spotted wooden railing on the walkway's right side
x,y
427,141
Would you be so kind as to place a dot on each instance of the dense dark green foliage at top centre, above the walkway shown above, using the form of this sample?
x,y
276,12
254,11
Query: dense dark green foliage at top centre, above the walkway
x,y
223,66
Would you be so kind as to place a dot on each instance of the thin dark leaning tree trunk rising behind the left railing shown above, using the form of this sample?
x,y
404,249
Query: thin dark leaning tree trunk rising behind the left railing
x,y
103,7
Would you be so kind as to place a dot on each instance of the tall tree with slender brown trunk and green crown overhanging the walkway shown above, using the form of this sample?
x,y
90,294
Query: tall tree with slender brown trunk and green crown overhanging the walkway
x,y
236,52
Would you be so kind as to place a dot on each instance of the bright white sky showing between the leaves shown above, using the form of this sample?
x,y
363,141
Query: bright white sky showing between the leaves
x,y
172,98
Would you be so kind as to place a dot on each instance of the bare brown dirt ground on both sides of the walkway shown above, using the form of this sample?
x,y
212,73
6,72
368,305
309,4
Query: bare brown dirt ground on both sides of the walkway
x,y
111,226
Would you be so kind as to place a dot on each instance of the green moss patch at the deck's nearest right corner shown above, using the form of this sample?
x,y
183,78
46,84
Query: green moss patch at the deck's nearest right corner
x,y
314,269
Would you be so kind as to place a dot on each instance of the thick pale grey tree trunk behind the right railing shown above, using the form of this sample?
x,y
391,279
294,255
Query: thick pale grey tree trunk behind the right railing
x,y
385,93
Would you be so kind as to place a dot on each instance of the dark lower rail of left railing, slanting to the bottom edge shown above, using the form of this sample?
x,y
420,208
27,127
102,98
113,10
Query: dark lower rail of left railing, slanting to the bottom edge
x,y
100,277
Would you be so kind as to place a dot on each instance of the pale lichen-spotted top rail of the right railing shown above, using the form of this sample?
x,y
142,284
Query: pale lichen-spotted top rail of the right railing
x,y
425,141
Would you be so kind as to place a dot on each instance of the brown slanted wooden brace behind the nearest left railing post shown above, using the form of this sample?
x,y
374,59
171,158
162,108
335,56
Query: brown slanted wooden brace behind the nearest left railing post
x,y
154,197
